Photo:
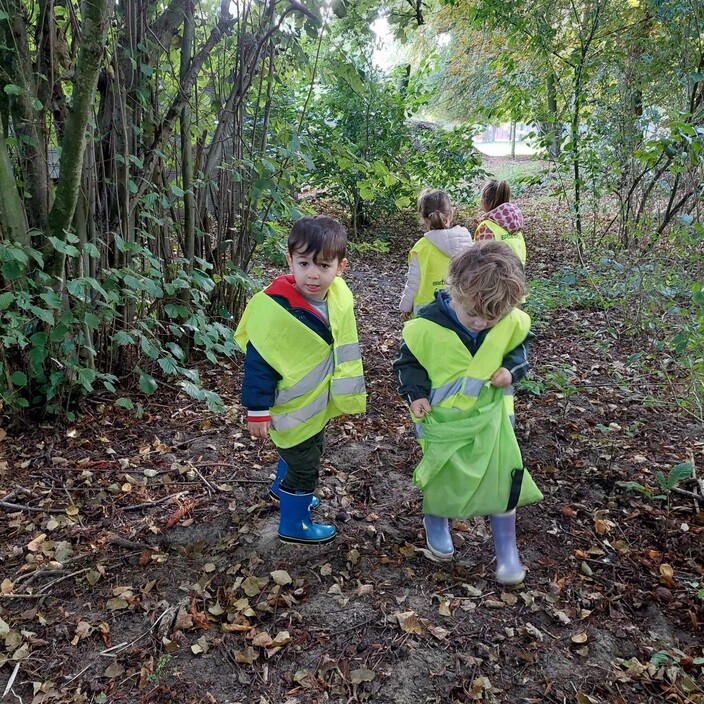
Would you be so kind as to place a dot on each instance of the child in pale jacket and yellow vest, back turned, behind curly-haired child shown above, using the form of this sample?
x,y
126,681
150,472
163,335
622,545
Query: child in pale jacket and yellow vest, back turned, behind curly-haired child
x,y
430,256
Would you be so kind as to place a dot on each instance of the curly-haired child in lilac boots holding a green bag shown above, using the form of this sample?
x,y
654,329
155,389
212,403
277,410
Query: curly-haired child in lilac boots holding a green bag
x,y
456,366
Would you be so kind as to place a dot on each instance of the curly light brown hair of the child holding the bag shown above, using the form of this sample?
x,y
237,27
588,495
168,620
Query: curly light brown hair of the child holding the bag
x,y
487,279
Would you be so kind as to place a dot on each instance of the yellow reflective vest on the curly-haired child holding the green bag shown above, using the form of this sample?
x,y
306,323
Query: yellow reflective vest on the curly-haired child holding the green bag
x,y
457,377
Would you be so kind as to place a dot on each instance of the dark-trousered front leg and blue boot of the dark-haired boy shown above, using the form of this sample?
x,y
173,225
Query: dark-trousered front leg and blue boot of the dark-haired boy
x,y
296,492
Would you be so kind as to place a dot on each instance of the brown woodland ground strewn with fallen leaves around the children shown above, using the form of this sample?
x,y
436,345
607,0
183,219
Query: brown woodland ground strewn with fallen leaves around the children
x,y
140,561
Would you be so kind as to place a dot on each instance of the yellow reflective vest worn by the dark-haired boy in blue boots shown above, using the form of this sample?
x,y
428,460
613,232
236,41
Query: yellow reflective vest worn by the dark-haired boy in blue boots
x,y
319,381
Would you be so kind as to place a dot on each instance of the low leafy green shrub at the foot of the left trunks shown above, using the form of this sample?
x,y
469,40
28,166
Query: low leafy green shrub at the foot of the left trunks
x,y
60,346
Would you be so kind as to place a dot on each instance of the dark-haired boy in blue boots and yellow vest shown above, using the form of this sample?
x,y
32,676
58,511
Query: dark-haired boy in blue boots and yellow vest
x,y
302,367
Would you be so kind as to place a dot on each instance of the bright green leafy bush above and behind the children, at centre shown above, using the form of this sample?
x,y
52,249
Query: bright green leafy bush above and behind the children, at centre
x,y
369,156
